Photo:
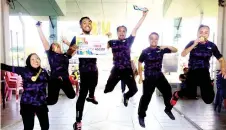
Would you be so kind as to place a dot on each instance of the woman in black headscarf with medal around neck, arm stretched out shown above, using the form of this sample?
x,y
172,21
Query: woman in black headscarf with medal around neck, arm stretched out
x,y
33,99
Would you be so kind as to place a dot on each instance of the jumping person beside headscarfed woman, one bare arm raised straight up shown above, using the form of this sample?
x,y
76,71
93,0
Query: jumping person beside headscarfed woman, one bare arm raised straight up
x,y
59,62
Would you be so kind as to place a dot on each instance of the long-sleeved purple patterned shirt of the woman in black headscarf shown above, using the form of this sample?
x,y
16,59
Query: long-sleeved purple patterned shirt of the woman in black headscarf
x,y
34,92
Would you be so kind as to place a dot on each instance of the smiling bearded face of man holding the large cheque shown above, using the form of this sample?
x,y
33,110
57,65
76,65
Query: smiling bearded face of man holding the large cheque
x,y
86,25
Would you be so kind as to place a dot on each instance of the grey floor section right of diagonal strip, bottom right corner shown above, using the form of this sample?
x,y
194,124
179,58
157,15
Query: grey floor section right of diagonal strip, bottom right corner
x,y
202,114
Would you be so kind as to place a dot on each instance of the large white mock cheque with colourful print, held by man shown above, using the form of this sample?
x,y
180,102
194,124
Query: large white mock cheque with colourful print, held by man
x,y
91,46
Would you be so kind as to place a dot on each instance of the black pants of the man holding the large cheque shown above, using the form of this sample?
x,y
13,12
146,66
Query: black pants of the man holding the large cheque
x,y
88,84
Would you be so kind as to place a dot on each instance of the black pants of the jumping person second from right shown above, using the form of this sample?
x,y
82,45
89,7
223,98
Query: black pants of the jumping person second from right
x,y
149,85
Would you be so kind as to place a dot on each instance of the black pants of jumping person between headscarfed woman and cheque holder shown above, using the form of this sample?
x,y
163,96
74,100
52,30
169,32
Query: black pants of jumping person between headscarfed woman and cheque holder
x,y
54,87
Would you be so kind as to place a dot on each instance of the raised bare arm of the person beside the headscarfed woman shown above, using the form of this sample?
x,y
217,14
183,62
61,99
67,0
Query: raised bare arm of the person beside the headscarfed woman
x,y
42,36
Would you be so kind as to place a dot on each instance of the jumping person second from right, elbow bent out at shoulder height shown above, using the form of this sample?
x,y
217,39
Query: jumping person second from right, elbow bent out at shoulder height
x,y
152,58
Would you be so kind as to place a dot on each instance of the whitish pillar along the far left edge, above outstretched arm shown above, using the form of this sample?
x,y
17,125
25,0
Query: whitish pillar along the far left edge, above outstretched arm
x,y
4,31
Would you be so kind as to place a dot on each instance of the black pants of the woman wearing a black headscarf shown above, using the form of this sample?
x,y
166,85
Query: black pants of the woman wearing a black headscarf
x,y
28,115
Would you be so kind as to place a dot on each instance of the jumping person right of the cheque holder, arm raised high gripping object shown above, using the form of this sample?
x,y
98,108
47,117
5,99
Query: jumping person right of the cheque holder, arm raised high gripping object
x,y
122,69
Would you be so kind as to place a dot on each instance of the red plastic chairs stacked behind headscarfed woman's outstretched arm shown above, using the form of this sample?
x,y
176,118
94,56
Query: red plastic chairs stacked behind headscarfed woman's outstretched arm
x,y
13,82
